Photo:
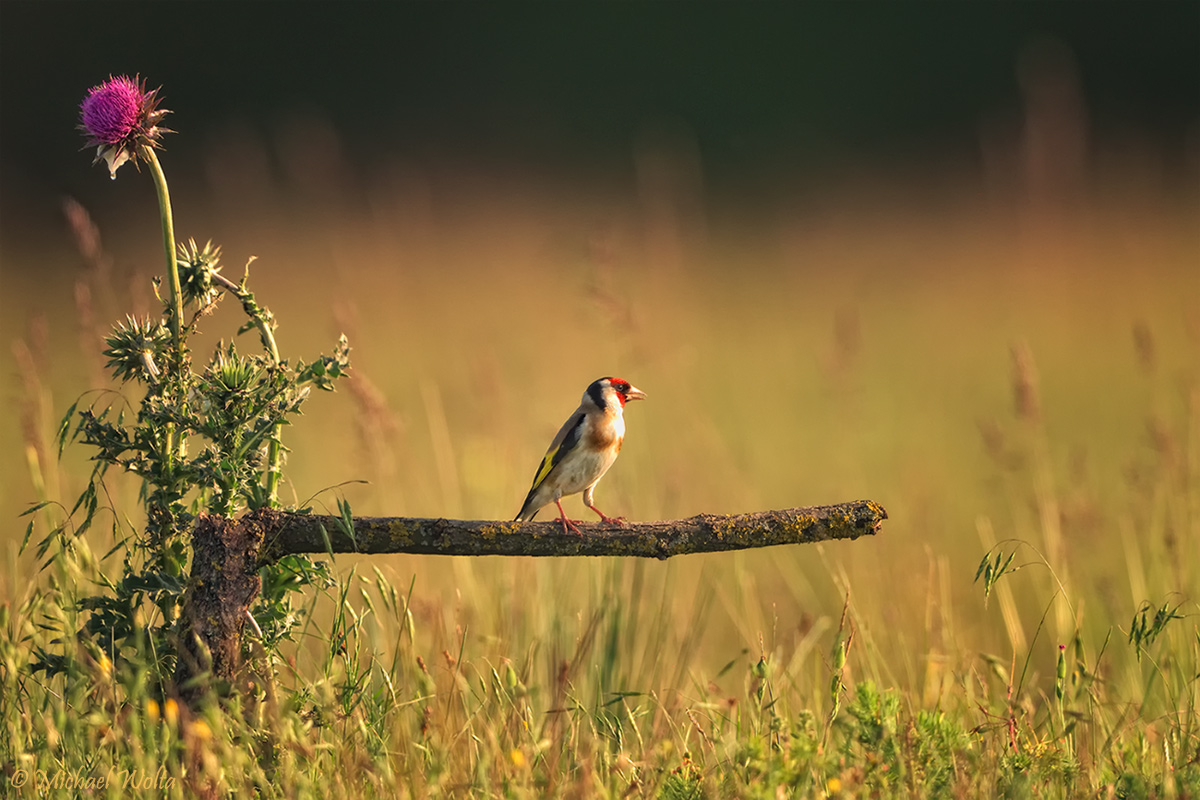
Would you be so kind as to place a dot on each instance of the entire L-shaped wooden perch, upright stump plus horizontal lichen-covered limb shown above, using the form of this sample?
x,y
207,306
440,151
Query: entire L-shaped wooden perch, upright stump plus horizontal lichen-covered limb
x,y
227,555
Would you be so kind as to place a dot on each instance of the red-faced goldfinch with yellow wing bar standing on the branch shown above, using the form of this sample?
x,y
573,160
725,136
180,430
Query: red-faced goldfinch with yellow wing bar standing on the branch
x,y
584,450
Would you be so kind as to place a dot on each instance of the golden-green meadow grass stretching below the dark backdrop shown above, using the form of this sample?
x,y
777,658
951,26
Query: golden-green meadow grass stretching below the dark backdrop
x,y
1003,389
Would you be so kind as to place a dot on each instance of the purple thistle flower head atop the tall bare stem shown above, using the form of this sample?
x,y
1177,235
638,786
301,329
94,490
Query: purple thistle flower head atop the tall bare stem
x,y
119,117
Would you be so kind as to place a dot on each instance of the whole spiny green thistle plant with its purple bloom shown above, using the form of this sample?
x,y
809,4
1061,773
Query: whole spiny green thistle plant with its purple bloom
x,y
202,441
